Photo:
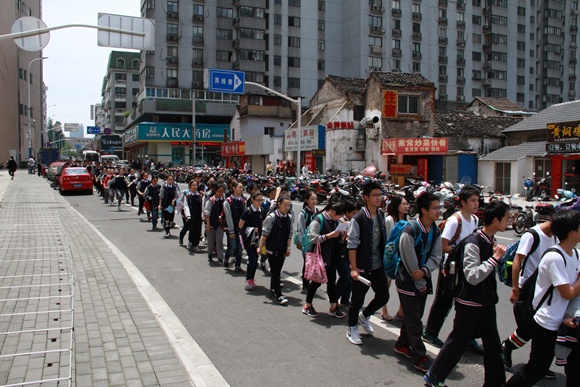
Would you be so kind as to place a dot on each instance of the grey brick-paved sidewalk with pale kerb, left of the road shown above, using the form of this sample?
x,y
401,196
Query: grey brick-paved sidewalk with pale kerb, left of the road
x,y
55,268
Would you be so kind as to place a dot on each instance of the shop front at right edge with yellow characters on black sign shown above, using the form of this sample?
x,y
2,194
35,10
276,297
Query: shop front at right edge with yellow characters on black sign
x,y
563,147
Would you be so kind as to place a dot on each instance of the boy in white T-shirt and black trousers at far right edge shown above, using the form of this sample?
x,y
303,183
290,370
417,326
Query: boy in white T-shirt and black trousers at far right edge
x,y
557,273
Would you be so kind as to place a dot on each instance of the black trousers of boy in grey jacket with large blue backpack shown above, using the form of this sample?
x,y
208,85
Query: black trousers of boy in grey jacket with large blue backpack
x,y
412,327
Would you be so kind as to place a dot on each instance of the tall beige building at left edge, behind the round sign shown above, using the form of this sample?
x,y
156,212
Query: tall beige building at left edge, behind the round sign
x,y
14,81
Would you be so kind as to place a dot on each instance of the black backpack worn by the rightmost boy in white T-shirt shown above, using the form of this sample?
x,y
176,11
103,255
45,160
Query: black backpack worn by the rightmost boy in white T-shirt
x,y
524,310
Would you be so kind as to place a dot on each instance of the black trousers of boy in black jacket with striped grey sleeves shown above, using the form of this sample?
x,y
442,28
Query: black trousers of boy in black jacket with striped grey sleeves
x,y
466,319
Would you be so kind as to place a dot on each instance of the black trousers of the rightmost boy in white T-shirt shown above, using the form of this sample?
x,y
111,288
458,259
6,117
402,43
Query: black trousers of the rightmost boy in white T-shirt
x,y
541,358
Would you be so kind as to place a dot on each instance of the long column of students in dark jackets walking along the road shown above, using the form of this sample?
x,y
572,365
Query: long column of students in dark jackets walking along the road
x,y
266,228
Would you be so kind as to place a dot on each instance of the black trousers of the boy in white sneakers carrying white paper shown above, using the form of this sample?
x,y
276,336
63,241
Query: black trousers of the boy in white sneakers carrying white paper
x,y
379,285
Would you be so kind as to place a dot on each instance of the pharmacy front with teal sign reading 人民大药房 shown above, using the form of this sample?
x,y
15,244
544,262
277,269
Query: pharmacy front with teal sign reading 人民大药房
x,y
174,143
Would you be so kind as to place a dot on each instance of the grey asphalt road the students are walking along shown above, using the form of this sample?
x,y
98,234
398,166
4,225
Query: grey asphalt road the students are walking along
x,y
252,340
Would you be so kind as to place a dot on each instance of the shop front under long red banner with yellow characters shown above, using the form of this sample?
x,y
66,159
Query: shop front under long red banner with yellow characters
x,y
419,158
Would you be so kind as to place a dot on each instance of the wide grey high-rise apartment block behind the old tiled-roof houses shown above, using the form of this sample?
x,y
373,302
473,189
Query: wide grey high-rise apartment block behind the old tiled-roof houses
x,y
524,50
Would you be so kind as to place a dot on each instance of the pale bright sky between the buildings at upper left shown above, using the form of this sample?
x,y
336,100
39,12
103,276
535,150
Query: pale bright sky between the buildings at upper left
x,y
76,66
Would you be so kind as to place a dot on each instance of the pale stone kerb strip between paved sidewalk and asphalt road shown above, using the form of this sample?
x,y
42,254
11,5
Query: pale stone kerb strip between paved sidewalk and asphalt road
x,y
198,366
